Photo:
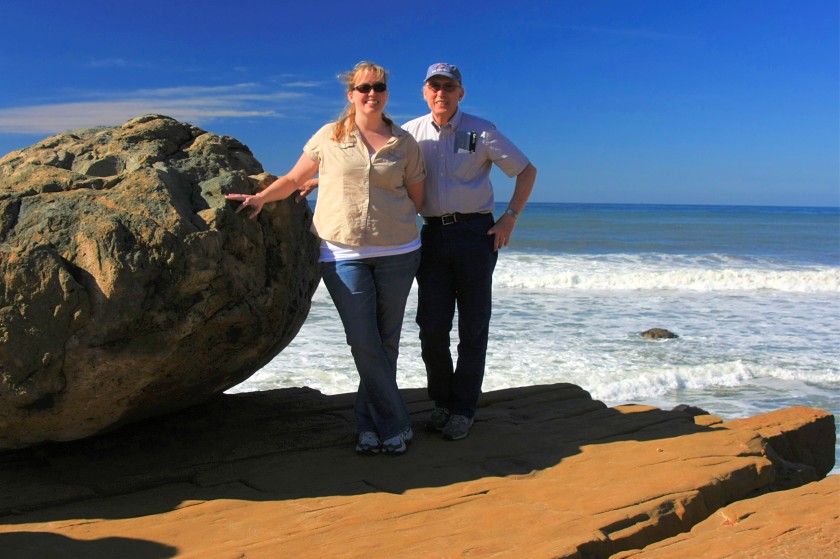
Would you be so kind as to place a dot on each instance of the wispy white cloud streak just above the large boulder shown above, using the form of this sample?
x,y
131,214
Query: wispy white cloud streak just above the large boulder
x,y
194,104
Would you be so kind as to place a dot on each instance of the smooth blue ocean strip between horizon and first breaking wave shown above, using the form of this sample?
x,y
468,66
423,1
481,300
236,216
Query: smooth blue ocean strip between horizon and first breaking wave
x,y
785,234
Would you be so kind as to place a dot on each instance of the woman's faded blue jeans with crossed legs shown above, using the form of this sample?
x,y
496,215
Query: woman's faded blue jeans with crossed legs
x,y
370,295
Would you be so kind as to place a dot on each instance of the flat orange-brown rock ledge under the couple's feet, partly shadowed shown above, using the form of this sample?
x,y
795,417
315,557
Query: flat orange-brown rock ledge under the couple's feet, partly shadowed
x,y
546,472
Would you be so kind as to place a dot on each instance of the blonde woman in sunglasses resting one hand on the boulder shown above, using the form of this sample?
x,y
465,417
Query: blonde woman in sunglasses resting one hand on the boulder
x,y
370,189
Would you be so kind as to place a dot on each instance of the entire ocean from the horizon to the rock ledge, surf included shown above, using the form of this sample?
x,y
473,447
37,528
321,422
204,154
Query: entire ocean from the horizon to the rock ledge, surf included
x,y
753,293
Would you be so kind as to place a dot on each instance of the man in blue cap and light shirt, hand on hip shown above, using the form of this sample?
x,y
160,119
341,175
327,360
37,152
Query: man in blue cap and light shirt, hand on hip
x,y
460,243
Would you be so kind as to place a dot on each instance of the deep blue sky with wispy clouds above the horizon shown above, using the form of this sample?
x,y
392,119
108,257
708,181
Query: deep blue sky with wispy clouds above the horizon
x,y
614,101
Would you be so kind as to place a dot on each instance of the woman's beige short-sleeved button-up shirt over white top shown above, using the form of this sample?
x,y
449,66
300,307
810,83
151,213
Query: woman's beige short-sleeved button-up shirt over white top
x,y
362,199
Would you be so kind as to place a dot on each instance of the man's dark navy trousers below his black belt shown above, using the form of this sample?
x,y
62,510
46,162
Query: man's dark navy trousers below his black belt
x,y
456,268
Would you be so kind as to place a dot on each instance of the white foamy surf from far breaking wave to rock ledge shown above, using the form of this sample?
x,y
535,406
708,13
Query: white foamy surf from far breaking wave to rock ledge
x,y
752,338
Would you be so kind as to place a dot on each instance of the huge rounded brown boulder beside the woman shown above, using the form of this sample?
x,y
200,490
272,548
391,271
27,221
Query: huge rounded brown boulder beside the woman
x,y
128,287
